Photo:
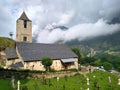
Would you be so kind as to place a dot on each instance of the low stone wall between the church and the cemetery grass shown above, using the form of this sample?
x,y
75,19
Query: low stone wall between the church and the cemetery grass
x,y
34,75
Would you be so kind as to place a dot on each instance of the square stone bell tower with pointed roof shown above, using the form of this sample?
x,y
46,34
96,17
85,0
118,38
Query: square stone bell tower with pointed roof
x,y
24,29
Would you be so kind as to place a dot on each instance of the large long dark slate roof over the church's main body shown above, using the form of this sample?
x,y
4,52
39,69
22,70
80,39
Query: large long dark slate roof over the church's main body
x,y
37,51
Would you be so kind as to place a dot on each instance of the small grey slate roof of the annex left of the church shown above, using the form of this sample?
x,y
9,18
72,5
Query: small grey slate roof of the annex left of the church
x,y
11,53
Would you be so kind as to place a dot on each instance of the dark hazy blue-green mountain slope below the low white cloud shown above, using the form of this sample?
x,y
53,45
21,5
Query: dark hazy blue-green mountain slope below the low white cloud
x,y
107,42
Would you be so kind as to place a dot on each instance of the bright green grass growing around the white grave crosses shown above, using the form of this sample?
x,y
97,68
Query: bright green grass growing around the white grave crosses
x,y
77,82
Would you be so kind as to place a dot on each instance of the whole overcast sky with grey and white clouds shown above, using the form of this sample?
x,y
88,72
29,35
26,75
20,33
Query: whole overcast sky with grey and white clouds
x,y
84,18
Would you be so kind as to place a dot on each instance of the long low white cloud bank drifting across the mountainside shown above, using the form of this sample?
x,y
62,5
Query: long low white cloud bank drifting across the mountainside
x,y
80,32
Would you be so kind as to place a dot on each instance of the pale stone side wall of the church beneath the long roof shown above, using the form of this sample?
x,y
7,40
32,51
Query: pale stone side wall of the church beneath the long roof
x,y
56,65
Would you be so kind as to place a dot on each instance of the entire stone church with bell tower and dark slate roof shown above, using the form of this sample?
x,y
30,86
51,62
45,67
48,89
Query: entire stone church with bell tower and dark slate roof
x,y
28,55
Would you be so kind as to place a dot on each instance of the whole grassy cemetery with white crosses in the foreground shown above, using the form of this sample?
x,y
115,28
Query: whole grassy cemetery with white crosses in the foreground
x,y
97,80
